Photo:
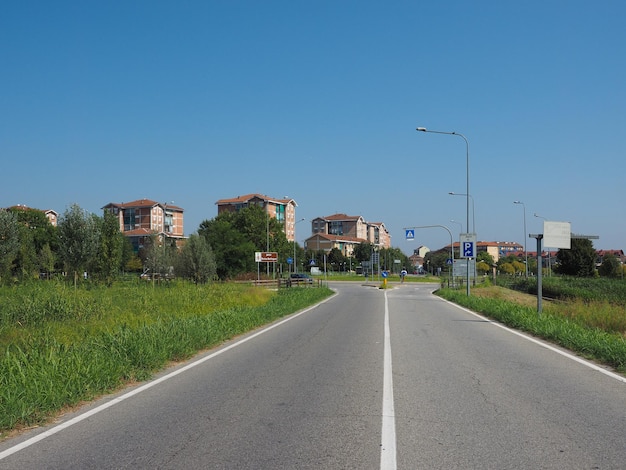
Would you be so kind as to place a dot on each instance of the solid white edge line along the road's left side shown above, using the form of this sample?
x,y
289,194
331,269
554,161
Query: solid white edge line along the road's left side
x,y
115,401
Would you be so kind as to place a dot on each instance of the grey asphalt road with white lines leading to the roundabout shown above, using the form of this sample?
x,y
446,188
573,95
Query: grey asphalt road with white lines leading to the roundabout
x,y
368,379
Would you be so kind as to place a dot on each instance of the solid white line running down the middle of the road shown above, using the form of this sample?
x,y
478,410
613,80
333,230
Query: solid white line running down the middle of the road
x,y
388,434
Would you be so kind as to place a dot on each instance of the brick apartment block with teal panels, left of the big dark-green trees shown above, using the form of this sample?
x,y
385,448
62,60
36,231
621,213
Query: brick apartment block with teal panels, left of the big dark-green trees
x,y
144,217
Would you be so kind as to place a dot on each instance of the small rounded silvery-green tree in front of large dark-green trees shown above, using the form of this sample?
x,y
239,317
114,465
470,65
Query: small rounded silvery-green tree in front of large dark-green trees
x,y
195,261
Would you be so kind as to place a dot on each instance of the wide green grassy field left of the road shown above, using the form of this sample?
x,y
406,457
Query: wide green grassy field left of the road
x,y
61,346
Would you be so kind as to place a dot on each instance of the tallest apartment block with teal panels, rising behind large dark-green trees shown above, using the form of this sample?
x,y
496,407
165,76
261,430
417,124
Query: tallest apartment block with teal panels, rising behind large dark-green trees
x,y
283,210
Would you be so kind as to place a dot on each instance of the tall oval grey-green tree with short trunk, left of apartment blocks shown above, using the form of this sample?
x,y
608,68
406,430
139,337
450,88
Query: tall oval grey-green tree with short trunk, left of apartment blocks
x,y
78,238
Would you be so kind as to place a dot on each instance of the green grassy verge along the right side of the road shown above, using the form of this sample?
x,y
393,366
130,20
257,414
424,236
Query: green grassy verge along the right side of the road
x,y
573,325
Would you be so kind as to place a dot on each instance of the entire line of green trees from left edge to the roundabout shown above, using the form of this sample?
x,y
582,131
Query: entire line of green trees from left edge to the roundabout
x,y
222,247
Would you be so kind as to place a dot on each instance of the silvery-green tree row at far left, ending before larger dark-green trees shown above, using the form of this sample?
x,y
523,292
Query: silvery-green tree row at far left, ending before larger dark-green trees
x,y
30,246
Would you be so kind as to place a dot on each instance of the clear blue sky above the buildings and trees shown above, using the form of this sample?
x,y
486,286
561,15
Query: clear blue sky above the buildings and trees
x,y
195,101
